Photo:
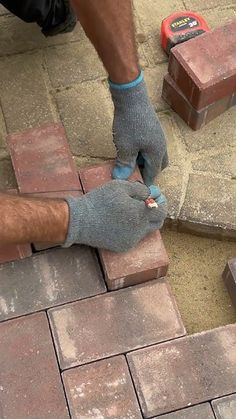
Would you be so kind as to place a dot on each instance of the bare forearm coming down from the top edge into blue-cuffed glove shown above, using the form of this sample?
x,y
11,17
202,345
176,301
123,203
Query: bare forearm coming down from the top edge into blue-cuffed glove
x,y
110,27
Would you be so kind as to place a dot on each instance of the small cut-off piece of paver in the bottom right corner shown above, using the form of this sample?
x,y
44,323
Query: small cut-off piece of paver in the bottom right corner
x,y
225,408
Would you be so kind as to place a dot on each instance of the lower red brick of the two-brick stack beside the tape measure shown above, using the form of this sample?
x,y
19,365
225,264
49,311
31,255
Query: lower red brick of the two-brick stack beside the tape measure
x,y
196,119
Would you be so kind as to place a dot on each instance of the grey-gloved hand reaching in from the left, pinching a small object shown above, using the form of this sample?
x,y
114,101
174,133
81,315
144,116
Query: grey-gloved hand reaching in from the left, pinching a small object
x,y
114,216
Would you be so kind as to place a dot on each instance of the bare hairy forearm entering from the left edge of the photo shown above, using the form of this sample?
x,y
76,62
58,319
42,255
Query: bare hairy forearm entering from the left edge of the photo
x,y
28,220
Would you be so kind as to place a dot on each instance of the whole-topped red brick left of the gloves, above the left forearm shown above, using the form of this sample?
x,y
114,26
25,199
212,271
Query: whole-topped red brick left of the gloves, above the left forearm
x,y
42,160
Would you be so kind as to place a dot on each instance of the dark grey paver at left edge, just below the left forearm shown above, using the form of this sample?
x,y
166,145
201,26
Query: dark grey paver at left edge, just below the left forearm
x,y
48,279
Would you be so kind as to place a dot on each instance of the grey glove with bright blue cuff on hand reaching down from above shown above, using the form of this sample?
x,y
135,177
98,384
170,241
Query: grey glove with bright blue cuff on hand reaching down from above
x,y
137,130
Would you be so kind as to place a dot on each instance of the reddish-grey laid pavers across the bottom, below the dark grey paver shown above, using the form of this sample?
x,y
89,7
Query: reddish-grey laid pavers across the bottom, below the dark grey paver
x,y
167,376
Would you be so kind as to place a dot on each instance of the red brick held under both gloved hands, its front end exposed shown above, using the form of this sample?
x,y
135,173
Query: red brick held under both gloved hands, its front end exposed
x,y
148,260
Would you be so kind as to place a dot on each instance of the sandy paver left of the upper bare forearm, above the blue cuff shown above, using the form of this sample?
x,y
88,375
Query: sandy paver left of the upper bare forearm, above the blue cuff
x,y
73,63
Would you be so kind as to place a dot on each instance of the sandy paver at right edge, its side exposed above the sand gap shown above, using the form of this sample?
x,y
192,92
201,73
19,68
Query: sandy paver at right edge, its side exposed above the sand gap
x,y
209,206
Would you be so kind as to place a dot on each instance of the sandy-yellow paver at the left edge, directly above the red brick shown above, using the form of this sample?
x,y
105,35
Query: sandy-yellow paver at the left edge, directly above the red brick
x,y
24,96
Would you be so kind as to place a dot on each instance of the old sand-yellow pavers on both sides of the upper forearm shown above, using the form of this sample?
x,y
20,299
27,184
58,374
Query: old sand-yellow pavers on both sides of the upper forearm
x,y
61,79
